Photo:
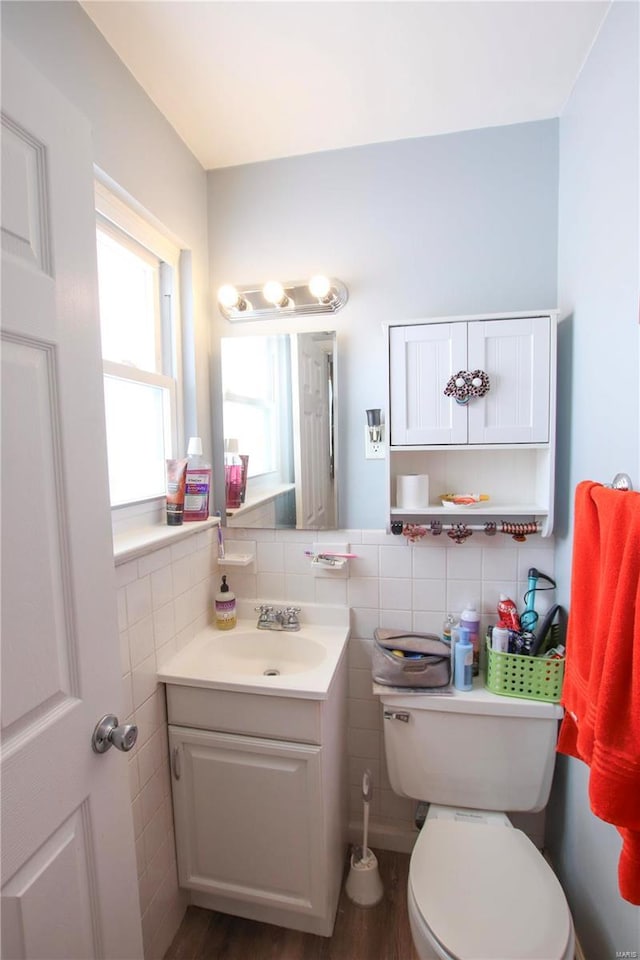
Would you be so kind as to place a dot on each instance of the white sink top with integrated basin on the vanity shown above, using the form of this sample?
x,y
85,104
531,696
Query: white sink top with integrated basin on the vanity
x,y
298,664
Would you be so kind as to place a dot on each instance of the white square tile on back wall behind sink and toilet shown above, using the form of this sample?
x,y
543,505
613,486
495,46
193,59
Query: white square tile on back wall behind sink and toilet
x,y
392,583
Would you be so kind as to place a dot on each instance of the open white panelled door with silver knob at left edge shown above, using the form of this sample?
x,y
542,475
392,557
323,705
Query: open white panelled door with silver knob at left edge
x,y
69,889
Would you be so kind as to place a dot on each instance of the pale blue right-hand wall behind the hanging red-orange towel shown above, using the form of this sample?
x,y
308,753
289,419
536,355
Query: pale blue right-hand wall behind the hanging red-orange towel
x,y
598,425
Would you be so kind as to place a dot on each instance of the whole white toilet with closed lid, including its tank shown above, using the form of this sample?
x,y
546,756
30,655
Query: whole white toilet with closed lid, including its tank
x,y
478,888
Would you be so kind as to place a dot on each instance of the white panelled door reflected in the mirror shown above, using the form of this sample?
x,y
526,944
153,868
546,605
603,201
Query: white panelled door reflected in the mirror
x,y
312,455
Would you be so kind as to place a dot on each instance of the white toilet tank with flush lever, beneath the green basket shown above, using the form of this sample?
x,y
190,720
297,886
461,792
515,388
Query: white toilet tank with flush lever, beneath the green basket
x,y
473,749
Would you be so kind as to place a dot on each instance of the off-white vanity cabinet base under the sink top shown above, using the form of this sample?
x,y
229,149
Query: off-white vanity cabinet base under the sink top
x,y
259,796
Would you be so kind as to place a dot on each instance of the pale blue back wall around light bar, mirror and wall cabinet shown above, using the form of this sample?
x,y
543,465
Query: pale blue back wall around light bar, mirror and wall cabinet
x,y
455,224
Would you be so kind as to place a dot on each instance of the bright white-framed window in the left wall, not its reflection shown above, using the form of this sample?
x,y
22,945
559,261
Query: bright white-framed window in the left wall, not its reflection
x,y
137,278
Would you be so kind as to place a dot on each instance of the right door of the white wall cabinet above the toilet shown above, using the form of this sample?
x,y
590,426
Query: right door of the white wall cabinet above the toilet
x,y
515,355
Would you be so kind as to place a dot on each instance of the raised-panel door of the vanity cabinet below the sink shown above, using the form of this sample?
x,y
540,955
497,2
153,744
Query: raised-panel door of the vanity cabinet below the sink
x,y
249,820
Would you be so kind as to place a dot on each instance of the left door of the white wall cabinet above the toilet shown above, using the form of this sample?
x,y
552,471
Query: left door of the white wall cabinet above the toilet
x,y
422,359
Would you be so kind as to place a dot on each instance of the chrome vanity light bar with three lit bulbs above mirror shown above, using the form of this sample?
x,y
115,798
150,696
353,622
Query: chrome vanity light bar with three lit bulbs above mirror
x,y
274,299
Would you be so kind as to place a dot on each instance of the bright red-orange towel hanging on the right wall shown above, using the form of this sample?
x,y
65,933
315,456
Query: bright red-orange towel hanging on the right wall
x,y
601,693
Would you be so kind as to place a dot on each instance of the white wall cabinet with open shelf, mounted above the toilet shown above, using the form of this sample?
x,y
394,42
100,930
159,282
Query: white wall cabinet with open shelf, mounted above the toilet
x,y
502,443
